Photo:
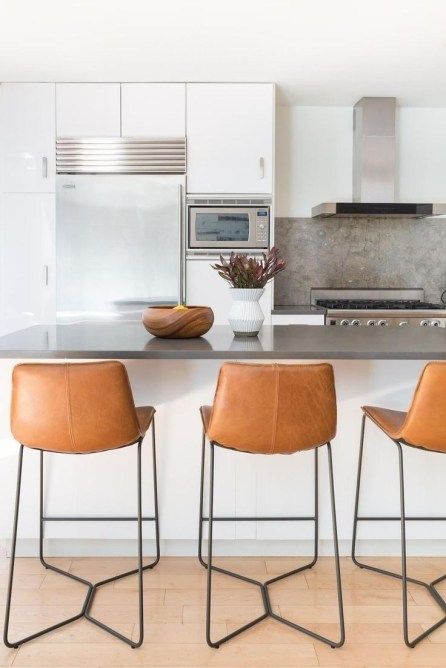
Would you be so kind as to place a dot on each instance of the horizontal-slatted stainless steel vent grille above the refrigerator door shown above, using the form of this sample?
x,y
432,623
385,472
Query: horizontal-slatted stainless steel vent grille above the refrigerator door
x,y
120,155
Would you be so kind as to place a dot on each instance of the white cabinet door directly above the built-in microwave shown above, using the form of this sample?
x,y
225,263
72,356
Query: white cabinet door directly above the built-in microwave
x,y
230,135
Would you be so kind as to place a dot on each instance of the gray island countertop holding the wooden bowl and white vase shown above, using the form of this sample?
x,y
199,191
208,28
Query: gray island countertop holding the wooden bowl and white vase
x,y
129,340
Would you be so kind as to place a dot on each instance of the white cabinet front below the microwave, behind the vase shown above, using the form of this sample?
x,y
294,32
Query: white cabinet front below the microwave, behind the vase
x,y
204,287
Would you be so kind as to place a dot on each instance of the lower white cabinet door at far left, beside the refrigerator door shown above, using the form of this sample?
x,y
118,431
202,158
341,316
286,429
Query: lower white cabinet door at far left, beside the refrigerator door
x,y
27,260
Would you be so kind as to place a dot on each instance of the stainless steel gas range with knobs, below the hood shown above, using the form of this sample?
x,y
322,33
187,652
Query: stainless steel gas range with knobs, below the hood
x,y
378,307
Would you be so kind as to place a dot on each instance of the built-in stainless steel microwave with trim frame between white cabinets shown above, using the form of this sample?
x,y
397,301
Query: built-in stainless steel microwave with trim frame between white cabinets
x,y
230,224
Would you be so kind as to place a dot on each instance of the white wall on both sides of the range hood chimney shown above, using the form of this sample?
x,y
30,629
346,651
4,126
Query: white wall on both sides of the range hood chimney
x,y
314,156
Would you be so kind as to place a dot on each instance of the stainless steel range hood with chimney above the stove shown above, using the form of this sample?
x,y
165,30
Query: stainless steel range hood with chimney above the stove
x,y
374,168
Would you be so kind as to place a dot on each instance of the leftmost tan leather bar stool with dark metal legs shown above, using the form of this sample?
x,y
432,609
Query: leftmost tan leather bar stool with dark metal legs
x,y
79,409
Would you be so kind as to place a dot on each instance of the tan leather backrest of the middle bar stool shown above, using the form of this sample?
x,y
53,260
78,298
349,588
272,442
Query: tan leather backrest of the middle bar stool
x,y
274,408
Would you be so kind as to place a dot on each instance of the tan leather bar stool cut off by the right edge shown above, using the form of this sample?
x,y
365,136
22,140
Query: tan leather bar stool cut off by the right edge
x,y
424,427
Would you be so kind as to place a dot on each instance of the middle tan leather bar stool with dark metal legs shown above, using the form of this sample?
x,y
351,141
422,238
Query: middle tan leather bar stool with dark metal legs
x,y
270,409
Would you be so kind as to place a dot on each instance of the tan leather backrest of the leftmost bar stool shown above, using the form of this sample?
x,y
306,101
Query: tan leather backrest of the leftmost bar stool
x,y
76,408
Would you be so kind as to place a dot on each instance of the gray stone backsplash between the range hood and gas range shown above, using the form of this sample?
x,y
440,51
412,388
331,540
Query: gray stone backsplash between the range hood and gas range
x,y
360,252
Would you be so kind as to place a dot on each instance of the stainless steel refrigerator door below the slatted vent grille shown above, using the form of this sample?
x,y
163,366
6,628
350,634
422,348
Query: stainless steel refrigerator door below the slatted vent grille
x,y
118,243
